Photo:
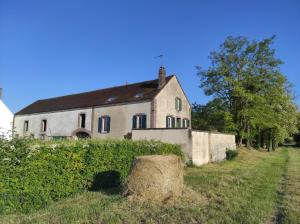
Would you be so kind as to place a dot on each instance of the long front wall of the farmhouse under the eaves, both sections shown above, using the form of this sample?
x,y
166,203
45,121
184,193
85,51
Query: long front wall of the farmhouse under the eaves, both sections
x,y
65,123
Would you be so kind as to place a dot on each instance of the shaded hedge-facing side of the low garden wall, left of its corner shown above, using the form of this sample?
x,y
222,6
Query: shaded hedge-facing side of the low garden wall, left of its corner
x,y
174,136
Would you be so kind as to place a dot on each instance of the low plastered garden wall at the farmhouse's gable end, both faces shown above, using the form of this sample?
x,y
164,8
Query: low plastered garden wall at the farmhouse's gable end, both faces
x,y
198,146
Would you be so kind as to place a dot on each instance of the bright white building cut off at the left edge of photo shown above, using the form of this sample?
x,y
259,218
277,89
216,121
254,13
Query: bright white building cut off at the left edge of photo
x,y
6,119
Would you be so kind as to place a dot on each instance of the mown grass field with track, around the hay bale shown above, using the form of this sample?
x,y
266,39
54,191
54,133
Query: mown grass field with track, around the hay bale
x,y
239,191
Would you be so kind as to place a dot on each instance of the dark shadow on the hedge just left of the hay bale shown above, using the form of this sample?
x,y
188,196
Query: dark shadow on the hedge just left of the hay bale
x,y
108,182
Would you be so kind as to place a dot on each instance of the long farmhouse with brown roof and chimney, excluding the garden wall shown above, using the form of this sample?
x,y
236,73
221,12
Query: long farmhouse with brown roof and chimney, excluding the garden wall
x,y
108,113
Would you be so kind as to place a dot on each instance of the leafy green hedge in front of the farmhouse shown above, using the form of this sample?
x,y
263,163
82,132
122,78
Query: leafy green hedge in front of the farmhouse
x,y
35,173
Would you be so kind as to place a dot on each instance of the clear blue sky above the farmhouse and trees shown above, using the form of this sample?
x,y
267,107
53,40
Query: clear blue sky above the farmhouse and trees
x,y
56,47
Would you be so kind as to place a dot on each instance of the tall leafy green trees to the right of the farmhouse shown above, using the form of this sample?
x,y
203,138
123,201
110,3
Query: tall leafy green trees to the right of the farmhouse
x,y
251,98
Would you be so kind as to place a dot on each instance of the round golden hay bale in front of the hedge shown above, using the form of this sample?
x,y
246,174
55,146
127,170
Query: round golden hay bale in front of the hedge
x,y
155,177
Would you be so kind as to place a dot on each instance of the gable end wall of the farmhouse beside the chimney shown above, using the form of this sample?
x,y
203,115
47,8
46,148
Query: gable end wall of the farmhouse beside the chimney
x,y
165,103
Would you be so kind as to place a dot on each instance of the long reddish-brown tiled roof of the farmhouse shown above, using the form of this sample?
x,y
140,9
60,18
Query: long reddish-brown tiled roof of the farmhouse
x,y
136,92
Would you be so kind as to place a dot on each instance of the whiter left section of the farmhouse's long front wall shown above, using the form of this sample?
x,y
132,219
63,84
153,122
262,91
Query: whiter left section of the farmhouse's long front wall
x,y
61,123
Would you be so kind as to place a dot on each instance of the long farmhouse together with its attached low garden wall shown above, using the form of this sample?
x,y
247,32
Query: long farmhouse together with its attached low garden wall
x,y
156,109
